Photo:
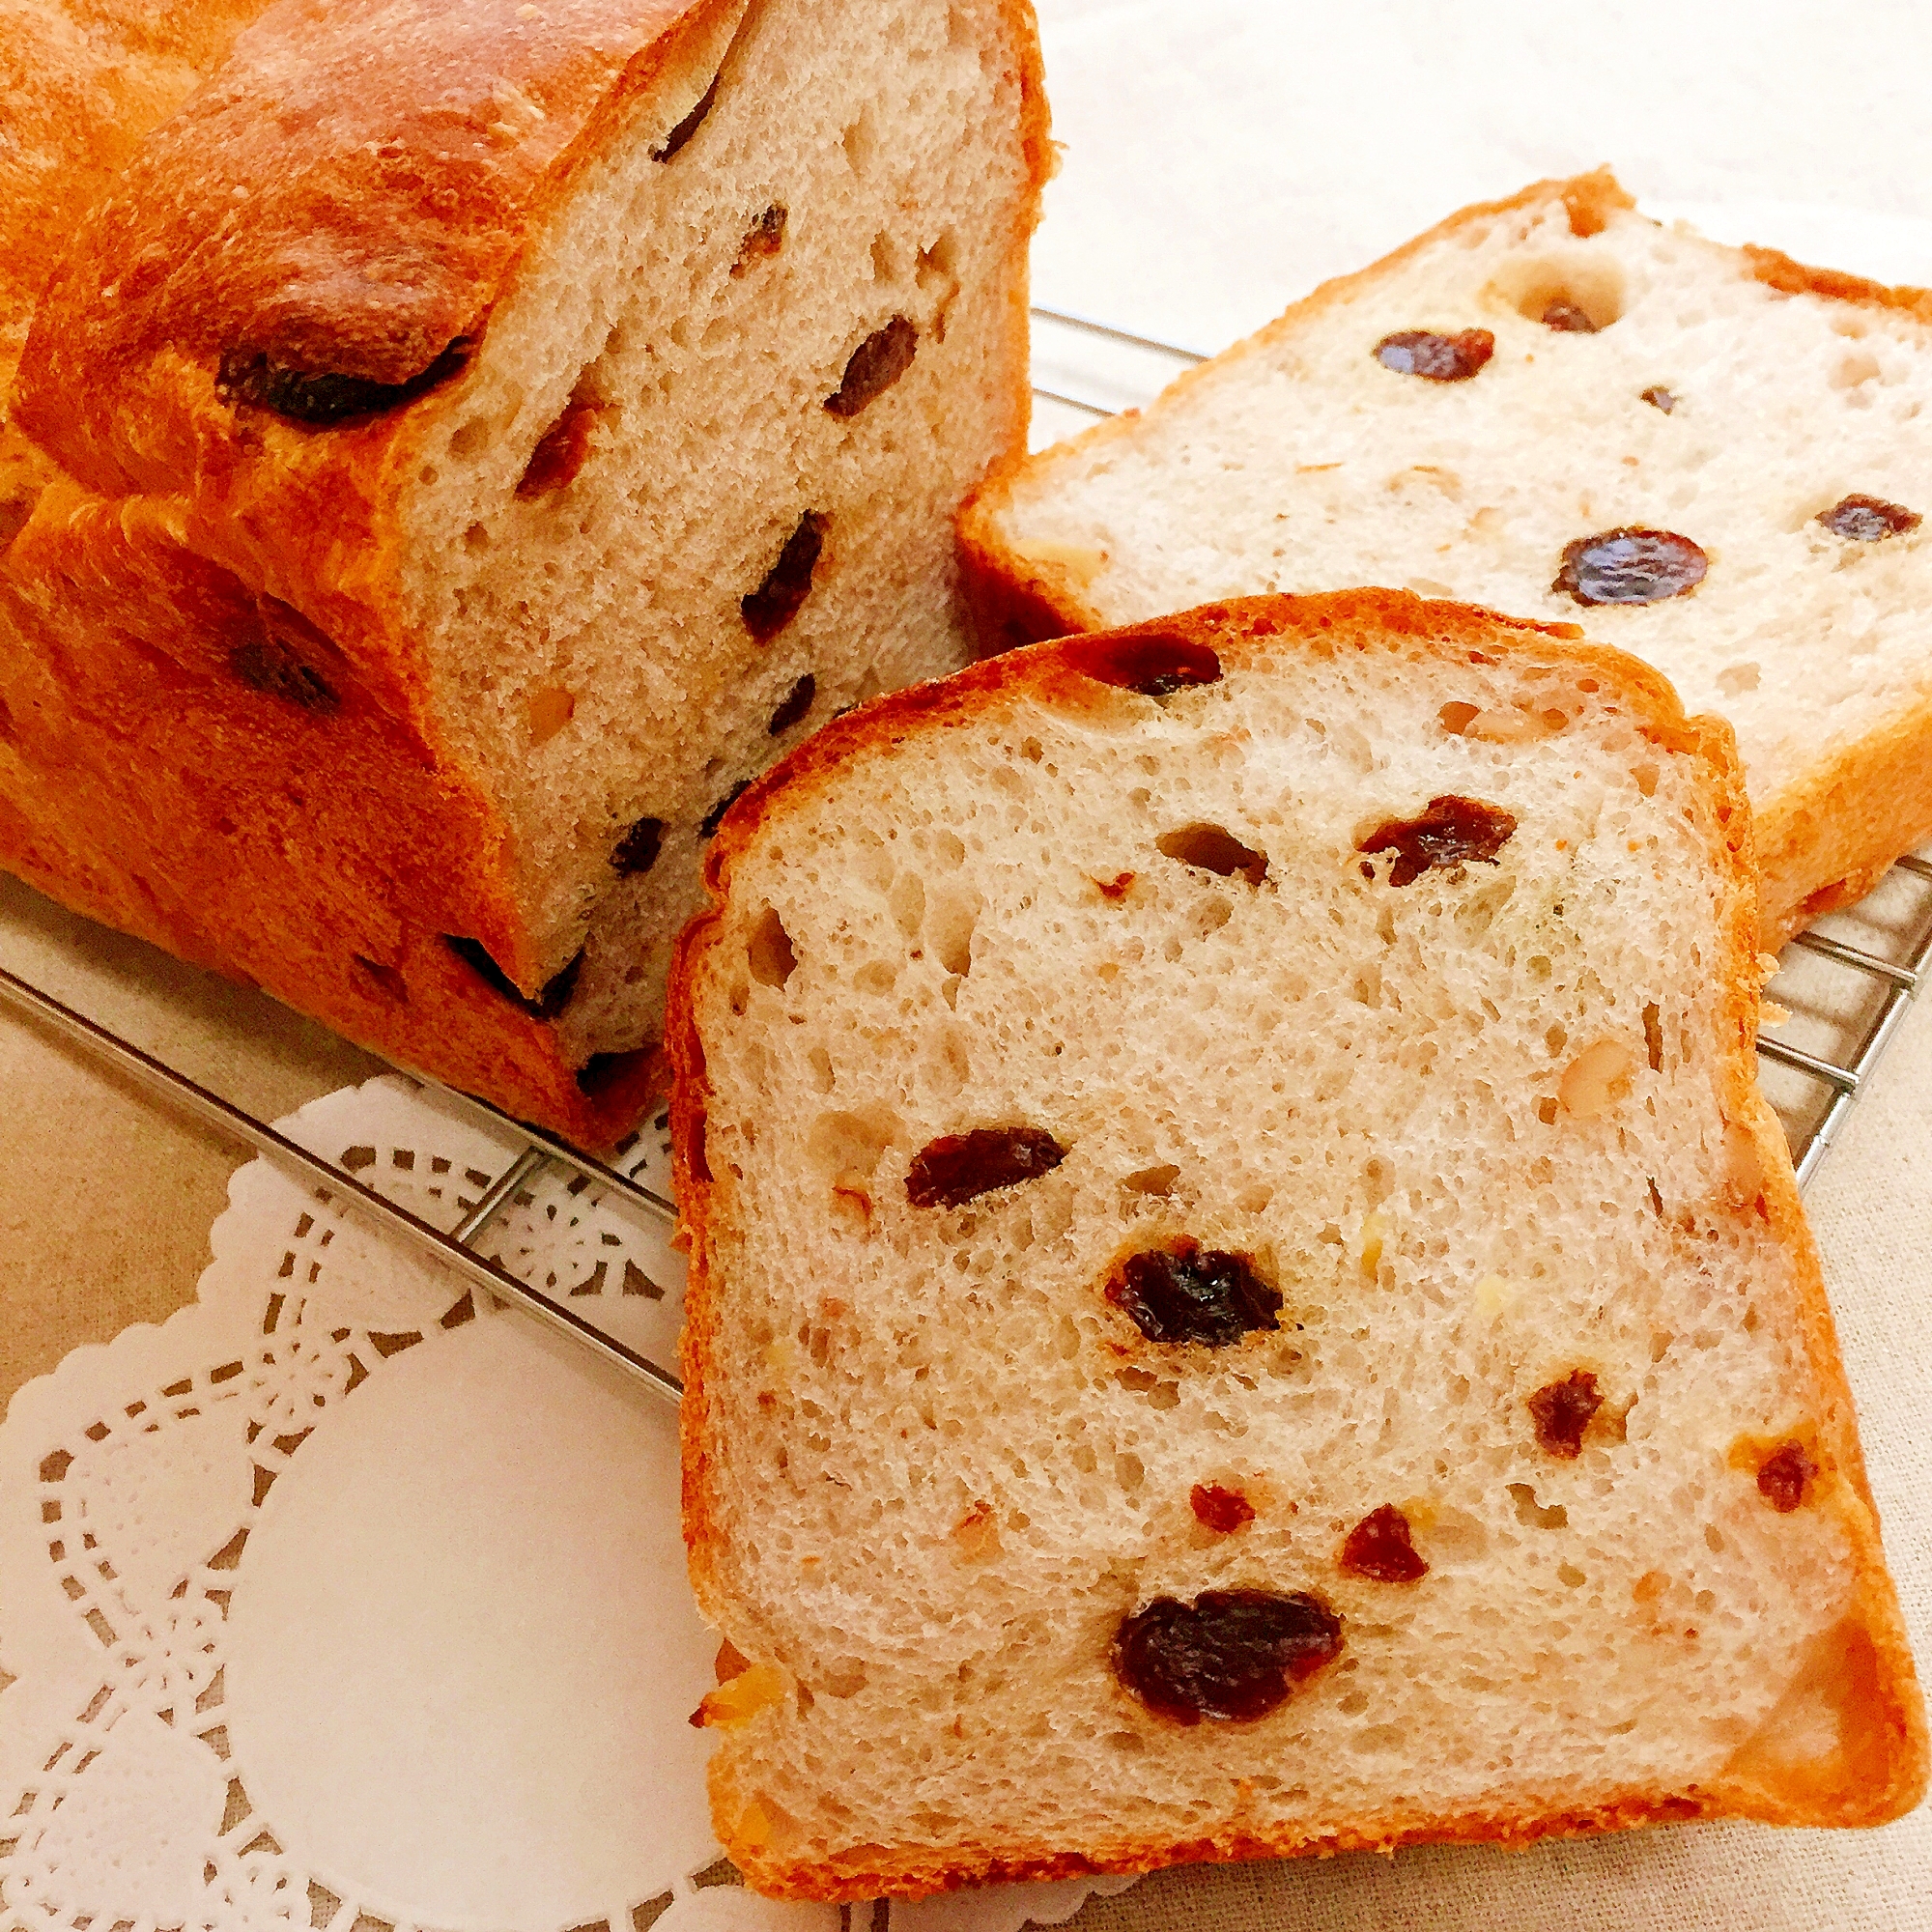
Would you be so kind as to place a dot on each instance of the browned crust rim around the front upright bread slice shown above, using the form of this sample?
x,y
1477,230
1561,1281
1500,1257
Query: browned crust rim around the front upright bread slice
x,y
1881,1765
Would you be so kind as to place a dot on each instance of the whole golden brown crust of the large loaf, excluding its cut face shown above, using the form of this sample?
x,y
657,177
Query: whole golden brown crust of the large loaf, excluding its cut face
x,y
351,192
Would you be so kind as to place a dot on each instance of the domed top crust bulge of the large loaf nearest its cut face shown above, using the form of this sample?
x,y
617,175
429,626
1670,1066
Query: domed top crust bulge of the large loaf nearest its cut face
x,y
360,229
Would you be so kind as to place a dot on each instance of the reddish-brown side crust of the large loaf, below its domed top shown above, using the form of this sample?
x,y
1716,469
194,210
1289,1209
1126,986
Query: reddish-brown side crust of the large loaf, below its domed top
x,y
150,783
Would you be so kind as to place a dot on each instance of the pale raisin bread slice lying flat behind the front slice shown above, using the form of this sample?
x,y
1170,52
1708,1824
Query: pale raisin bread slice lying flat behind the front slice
x,y
1620,378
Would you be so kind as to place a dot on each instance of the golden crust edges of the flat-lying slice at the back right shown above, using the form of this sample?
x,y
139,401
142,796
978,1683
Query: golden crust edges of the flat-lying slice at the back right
x,y
1823,843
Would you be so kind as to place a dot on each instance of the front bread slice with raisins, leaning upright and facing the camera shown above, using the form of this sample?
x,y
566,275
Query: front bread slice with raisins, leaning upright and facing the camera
x,y
1228,1154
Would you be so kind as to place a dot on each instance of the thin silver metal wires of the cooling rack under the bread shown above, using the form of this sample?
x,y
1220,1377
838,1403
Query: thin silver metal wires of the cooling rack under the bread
x,y
1842,1081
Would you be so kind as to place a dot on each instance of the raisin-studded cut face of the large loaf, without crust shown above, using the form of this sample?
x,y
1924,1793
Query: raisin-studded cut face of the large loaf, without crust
x,y
650,550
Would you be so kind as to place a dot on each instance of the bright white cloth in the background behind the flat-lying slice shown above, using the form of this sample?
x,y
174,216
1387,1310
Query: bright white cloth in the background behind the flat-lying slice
x,y
1226,156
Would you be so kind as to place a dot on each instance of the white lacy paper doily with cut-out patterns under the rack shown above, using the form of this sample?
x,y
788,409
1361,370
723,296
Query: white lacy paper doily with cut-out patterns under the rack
x,y
341,1603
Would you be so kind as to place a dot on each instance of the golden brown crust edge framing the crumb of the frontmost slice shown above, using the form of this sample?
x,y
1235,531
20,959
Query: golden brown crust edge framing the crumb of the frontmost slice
x,y
1867,1686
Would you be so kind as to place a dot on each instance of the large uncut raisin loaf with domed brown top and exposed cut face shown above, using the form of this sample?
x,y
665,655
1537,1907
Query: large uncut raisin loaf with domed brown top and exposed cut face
x,y
455,445
